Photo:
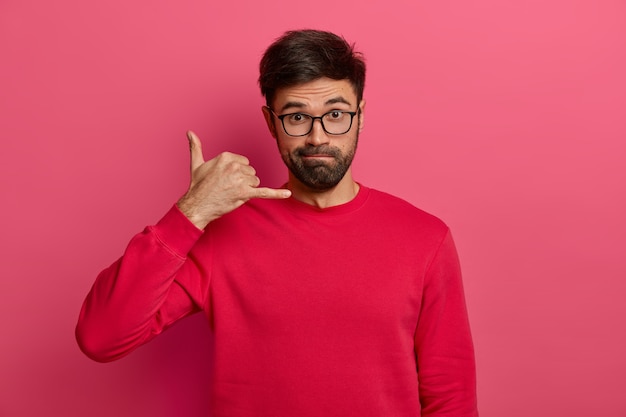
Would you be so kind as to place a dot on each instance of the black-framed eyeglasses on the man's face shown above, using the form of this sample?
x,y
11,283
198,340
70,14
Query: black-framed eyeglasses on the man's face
x,y
335,122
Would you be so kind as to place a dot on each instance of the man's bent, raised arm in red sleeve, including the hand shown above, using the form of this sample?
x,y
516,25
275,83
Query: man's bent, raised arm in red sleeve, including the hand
x,y
141,294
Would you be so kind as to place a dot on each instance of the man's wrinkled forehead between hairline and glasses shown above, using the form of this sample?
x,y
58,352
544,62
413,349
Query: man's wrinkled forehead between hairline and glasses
x,y
317,94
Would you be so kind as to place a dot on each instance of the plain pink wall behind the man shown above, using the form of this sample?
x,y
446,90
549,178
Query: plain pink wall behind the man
x,y
505,118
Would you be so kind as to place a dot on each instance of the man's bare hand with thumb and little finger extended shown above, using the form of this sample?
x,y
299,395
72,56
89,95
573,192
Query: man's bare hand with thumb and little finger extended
x,y
220,185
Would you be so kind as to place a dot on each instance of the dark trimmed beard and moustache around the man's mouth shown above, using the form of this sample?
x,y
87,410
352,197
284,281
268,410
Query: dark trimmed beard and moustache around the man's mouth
x,y
319,175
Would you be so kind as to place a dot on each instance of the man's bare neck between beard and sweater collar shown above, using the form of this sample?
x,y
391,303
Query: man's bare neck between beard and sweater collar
x,y
341,193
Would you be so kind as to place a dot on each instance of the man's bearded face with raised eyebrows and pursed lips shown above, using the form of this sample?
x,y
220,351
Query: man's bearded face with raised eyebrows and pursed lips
x,y
318,160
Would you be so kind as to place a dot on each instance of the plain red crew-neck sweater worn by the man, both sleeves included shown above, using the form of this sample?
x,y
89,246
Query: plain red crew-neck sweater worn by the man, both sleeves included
x,y
353,310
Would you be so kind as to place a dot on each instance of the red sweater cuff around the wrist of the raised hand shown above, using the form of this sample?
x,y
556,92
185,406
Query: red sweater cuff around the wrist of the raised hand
x,y
177,232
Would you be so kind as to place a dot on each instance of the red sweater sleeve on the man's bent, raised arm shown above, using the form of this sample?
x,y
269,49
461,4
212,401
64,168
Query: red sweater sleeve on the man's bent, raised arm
x,y
140,295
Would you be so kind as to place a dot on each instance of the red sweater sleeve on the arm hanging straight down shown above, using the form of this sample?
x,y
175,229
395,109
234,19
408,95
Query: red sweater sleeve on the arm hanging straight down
x,y
443,342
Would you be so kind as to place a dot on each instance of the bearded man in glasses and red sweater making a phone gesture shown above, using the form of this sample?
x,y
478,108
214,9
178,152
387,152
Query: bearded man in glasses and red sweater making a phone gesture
x,y
325,298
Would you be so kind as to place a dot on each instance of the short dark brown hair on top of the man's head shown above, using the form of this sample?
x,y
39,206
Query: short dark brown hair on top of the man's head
x,y
305,55
